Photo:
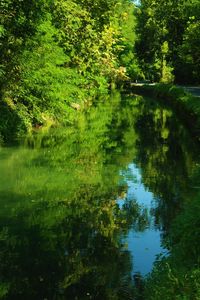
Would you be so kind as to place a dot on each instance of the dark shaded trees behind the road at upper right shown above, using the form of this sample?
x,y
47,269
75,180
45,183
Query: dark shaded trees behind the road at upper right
x,y
169,39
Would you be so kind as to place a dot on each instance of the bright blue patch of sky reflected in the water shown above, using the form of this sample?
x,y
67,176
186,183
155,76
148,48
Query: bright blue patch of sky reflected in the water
x,y
145,245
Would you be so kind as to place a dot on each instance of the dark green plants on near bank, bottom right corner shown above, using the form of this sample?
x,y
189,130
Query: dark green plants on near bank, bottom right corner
x,y
178,276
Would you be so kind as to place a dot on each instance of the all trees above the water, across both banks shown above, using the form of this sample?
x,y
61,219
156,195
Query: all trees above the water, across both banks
x,y
61,54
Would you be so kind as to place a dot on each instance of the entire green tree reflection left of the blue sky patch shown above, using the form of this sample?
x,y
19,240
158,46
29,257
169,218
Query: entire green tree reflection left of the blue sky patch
x,y
60,220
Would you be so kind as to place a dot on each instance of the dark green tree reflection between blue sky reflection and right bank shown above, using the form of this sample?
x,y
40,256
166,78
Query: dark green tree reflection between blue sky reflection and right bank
x,y
167,156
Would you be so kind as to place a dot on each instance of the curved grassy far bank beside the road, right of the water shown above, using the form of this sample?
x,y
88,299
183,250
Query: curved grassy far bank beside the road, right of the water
x,y
186,105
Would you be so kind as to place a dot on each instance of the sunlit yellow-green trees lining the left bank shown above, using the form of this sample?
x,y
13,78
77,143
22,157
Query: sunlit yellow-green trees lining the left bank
x,y
58,54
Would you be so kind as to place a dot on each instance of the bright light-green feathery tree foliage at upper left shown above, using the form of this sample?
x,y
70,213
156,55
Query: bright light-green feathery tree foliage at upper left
x,y
44,75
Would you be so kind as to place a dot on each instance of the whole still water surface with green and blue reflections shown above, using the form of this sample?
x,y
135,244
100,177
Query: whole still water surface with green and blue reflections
x,y
84,208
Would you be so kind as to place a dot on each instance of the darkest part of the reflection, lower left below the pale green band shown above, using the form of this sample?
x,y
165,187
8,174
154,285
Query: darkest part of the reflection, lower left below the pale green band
x,y
61,249
